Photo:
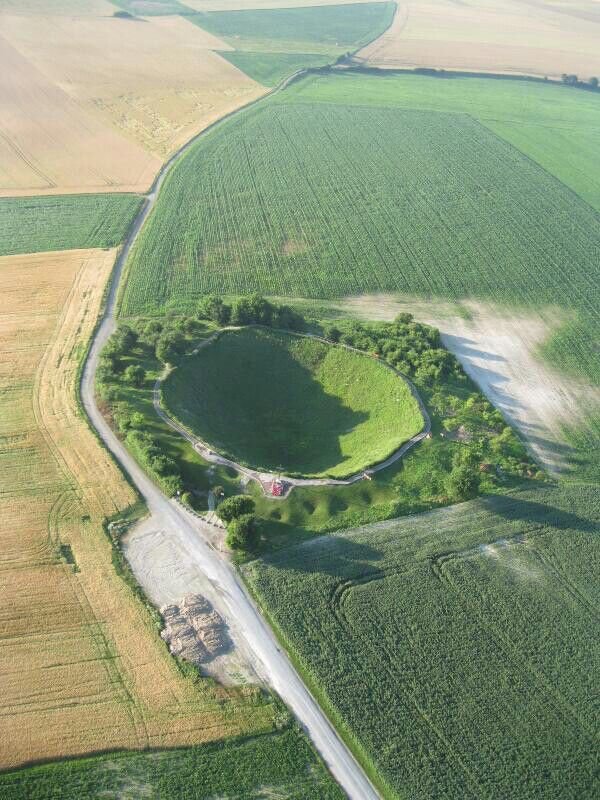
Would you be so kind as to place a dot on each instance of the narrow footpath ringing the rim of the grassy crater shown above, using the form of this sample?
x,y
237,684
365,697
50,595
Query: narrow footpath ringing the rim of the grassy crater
x,y
266,479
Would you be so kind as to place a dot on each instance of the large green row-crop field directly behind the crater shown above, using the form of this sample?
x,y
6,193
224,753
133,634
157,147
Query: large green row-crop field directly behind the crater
x,y
442,207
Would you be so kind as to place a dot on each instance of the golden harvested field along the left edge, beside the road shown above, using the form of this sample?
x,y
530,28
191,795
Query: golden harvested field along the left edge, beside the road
x,y
81,665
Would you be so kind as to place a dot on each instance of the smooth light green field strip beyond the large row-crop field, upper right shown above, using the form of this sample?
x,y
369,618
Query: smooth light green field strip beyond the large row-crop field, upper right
x,y
556,126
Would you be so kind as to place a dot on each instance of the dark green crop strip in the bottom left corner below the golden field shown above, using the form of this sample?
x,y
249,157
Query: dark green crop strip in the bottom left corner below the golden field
x,y
282,764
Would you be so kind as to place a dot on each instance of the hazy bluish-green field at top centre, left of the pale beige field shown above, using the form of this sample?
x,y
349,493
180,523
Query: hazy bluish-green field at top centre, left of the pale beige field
x,y
314,29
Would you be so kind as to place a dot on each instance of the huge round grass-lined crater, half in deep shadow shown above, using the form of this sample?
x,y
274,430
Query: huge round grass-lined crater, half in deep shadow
x,y
286,403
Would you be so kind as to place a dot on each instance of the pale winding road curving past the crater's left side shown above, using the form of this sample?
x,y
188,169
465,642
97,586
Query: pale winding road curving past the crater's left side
x,y
236,606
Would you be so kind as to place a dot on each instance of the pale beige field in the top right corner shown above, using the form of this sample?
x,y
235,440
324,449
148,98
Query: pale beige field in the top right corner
x,y
506,36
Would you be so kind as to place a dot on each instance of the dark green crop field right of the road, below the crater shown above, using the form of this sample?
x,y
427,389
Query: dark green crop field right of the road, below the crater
x,y
456,649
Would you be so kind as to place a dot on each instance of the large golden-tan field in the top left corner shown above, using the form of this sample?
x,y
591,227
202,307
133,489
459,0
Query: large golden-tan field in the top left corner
x,y
96,103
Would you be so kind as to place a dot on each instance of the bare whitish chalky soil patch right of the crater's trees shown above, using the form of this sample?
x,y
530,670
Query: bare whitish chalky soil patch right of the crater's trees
x,y
498,350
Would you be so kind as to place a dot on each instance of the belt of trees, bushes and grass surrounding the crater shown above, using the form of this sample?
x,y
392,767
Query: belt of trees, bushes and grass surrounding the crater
x,y
466,431
